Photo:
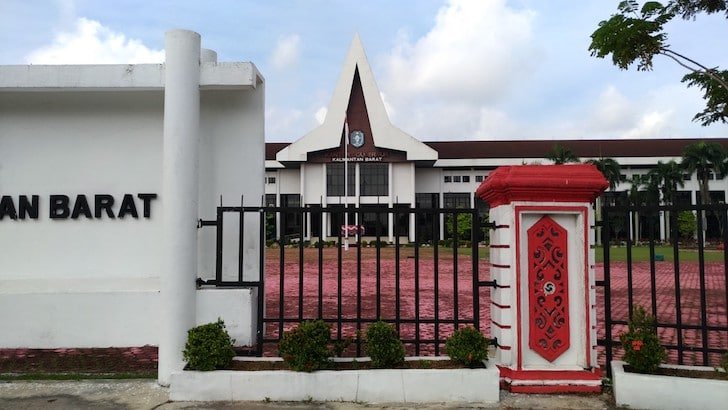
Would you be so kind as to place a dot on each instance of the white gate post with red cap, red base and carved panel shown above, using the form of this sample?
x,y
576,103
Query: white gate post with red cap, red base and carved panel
x,y
543,310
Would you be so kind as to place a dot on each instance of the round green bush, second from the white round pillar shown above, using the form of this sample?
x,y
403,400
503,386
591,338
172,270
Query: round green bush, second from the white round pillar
x,y
306,348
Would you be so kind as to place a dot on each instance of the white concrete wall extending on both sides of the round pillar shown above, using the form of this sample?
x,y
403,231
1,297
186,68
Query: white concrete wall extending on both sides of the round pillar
x,y
95,282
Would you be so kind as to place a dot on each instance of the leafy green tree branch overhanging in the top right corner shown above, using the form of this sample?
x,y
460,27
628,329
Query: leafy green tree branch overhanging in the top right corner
x,y
637,34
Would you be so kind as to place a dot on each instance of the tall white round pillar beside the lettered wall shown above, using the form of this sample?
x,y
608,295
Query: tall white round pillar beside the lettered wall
x,y
180,180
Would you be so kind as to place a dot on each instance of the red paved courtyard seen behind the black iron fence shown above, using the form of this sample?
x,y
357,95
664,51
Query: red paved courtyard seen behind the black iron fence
x,y
690,305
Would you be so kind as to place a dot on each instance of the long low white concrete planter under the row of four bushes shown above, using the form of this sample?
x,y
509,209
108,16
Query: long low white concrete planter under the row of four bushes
x,y
372,386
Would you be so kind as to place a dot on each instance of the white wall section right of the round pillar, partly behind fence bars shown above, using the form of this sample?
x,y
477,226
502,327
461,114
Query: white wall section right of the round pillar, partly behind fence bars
x,y
231,165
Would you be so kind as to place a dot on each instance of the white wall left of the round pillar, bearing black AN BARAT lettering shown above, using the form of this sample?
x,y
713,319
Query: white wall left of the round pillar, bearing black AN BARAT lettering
x,y
83,282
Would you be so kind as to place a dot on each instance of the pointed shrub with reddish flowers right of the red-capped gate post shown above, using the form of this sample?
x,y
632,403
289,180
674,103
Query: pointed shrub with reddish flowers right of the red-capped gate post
x,y
642,349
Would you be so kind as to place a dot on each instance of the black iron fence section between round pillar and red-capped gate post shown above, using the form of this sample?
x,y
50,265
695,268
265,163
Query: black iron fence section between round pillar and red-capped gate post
x,y
424,277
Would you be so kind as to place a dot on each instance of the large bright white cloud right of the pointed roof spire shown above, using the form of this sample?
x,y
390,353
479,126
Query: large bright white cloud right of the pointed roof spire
x,y
445,84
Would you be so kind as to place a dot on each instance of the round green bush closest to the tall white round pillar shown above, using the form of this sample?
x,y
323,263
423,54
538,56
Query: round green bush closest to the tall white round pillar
x,y
209,347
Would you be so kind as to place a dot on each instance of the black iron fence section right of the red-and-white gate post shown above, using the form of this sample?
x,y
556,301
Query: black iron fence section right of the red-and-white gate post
x,y
672,260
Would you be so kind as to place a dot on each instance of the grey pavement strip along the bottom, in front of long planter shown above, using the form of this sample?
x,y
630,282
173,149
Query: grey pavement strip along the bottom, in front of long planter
x,y
145,395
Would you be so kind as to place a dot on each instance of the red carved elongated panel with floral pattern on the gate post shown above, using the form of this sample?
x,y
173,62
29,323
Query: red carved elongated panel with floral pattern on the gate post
x,y
548,289
